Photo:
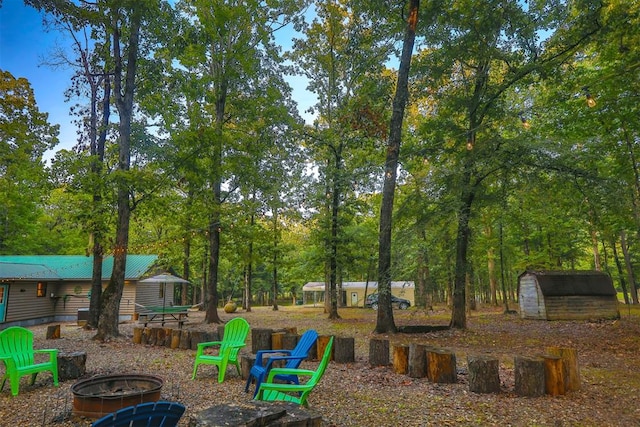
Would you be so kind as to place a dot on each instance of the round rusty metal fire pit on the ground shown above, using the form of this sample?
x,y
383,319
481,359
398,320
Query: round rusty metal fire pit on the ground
x,y
101,395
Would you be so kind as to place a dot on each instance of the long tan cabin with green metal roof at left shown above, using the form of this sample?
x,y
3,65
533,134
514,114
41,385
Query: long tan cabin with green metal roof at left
x,y
37,289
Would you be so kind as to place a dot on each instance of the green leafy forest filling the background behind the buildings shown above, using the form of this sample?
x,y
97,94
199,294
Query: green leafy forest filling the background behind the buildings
x,y
519,143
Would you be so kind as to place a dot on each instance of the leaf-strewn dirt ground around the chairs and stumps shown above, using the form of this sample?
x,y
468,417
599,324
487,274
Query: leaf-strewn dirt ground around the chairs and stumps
x,y
360,395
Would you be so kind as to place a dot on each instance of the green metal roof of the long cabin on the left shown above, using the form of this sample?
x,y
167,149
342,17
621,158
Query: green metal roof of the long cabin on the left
x,y
68,267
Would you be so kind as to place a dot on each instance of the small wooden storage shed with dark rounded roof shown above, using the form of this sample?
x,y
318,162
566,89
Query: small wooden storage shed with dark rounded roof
x,y
567,295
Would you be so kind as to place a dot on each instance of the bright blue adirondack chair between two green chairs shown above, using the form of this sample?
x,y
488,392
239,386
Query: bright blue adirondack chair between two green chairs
x,y
293,358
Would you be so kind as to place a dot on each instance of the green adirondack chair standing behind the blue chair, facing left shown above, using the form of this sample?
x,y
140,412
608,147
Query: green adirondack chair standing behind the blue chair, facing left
x,y
233,339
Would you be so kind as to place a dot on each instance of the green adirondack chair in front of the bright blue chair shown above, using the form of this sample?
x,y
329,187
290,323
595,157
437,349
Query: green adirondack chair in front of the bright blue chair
x,y
296,393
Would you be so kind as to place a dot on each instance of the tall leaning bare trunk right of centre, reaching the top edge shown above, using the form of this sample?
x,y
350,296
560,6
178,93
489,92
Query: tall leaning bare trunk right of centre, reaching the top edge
x,y
385,322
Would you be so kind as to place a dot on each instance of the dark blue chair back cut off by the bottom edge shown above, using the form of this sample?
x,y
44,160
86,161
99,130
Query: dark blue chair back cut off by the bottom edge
x,y
151,414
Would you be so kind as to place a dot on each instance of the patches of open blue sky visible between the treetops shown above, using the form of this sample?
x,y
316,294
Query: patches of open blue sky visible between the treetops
x,y
24,45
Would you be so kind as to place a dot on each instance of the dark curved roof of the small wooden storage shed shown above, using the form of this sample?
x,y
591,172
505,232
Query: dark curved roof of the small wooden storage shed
x,y
561,283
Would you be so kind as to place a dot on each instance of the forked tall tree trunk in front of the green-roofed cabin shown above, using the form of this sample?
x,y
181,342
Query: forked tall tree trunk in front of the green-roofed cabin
x,y
110,303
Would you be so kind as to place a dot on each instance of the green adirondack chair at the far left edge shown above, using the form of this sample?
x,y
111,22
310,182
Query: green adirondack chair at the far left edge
x,y
18,355
